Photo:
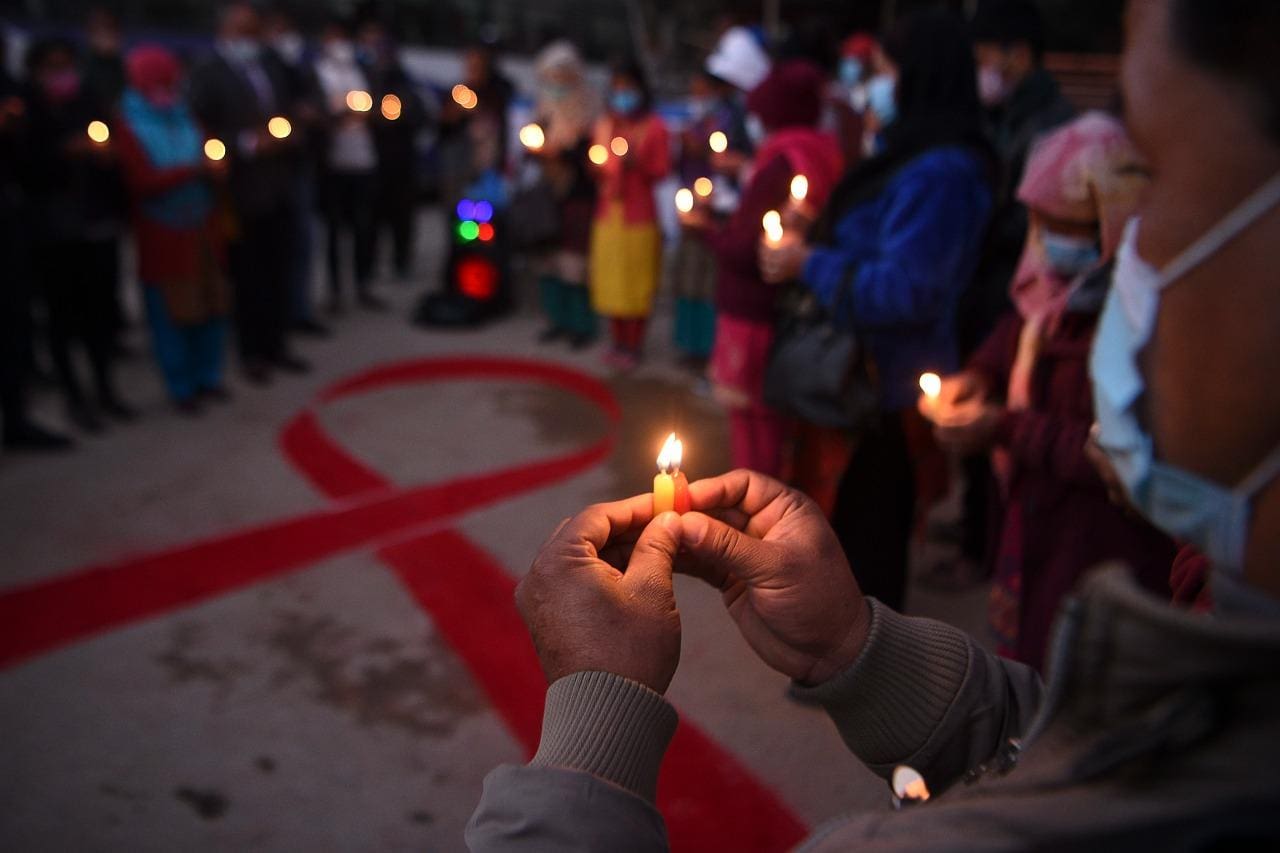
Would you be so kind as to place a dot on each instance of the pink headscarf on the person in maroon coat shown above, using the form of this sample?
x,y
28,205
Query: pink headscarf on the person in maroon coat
x,y
1085,172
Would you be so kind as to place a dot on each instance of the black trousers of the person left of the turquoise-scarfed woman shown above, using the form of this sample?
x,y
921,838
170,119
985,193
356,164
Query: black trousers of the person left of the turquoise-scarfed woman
x,y
79,282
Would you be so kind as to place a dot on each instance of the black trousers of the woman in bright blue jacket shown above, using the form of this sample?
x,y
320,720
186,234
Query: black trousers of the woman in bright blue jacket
x,y
876,508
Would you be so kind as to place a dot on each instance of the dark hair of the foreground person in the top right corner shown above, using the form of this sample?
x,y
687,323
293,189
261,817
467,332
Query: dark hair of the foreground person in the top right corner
x,y
1240,40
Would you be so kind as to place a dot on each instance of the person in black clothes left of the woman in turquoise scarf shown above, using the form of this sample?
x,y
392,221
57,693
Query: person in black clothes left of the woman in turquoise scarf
x,y
74,190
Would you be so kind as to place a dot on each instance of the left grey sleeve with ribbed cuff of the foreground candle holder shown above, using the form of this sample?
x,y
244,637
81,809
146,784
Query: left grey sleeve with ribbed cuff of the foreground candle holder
x,y
591,786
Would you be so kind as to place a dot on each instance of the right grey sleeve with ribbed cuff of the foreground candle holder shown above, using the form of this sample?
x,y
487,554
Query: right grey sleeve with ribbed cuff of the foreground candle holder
x,y
926,695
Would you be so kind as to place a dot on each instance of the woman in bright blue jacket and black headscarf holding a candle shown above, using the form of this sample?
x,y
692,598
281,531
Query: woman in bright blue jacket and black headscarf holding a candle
x,y
889,258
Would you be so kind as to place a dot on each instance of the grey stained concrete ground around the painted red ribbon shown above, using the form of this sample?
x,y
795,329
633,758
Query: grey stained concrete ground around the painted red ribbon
x,y
321,710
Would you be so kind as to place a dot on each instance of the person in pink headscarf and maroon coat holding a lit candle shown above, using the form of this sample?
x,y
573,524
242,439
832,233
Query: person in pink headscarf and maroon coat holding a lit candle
x,y
1026,395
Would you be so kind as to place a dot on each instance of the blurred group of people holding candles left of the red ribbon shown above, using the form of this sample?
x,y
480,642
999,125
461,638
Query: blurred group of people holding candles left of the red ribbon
x,y
220,170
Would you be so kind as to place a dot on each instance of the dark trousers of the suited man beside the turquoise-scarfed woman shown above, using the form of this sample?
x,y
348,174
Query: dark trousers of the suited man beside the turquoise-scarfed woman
x,y
259,263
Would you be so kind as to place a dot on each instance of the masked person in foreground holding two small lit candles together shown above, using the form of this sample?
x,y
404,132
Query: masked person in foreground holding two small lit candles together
x,y
1158,728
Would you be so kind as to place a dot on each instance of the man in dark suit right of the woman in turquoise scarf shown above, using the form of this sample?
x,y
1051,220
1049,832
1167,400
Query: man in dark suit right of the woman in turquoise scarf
x,y
235,95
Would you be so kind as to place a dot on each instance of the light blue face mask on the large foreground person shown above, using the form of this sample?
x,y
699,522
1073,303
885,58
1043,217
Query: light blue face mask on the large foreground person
x,y
1213,518
